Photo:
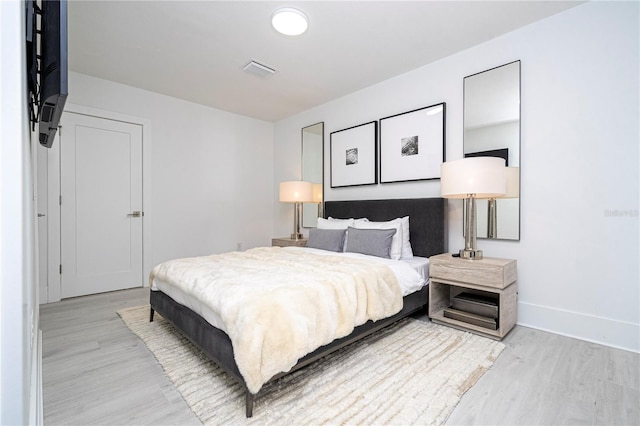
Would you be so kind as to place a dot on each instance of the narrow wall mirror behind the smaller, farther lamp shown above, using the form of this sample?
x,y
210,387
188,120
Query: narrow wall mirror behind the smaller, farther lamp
x,y
312,171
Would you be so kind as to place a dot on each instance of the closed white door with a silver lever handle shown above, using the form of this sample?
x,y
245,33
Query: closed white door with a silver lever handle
x,y
101,205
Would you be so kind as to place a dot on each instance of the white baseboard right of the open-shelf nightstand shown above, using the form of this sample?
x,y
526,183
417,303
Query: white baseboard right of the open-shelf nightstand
x,y
605,331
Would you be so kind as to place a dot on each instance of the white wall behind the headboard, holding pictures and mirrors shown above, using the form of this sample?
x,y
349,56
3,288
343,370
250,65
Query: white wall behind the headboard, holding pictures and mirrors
x,y
578,254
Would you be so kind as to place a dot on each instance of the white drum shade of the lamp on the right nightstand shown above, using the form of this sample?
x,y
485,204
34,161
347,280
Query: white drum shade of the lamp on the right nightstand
x,y
484,177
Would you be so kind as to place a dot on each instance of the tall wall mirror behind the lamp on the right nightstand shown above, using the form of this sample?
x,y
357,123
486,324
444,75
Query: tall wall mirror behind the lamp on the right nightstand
x,y
492,128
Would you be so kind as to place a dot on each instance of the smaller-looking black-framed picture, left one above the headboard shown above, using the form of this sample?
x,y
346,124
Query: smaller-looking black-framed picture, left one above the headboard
x,y
353,155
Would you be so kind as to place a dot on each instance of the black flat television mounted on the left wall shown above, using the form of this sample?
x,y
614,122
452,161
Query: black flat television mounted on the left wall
x,y
53,68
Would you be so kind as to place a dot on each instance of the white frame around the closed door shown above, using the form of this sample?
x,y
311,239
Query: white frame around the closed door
x,y
53,206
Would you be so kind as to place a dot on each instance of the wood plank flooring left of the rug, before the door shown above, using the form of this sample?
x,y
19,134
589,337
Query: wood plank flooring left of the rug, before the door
x,y
95,371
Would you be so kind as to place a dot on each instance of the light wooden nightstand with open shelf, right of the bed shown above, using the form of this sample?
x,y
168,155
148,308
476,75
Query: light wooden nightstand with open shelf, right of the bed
x,y
490,279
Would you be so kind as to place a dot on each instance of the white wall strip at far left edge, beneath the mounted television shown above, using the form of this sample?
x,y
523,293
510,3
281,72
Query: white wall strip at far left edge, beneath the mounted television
x,y
19,319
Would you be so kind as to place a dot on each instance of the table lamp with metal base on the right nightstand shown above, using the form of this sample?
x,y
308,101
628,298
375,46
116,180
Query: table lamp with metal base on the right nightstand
x,y
470,179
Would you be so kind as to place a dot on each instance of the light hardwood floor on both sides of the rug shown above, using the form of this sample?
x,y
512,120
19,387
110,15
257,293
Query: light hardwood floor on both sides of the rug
x,y
95,371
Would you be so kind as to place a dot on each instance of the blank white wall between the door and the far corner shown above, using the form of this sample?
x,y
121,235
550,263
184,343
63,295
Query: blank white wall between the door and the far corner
x,y
208,174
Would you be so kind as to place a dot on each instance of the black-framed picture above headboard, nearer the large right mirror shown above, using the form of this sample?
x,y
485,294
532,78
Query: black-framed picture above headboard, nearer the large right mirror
x,y
412,144
